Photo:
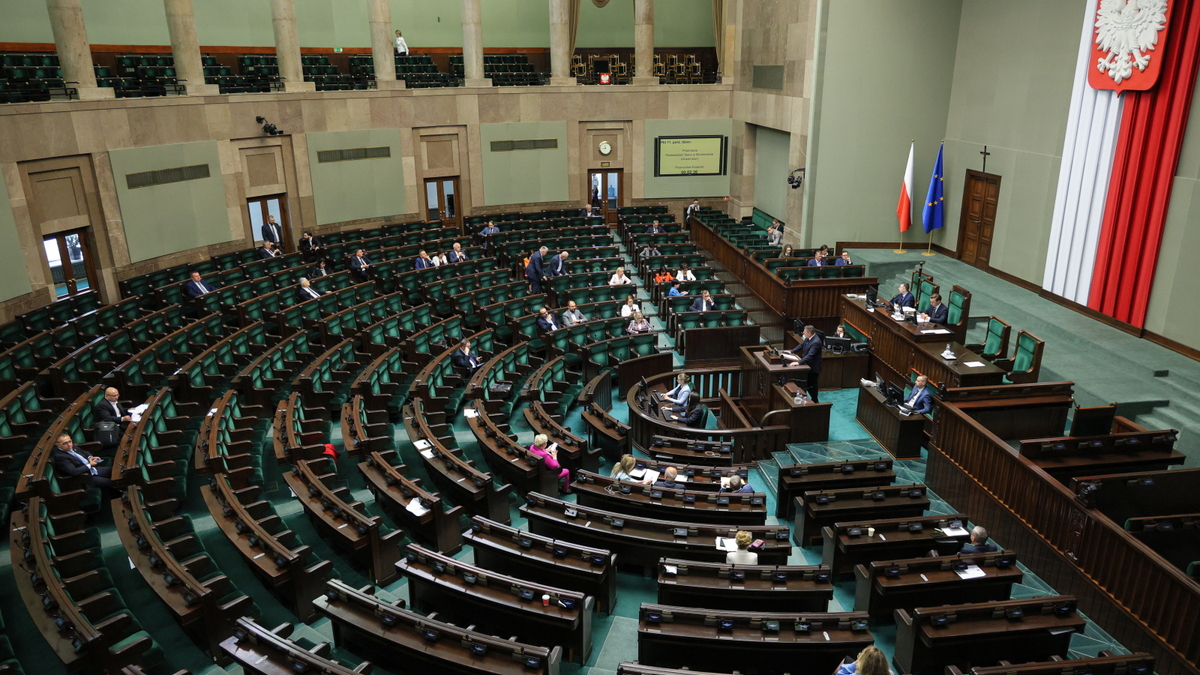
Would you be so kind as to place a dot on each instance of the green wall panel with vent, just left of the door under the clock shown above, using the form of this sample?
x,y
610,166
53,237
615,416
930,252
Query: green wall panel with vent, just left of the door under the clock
x,y
520,177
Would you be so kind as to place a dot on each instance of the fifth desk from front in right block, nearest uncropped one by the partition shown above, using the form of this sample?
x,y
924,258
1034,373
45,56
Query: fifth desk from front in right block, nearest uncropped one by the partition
x,y
933,638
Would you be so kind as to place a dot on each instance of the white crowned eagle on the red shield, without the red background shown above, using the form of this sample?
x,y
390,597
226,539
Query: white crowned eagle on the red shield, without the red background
x,y
1126,34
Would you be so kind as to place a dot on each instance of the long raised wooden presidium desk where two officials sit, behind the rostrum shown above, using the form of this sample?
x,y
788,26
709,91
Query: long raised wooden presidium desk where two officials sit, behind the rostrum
x,y
899,348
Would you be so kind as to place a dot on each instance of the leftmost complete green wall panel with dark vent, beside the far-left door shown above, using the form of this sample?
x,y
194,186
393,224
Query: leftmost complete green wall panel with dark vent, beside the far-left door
x,y
177,217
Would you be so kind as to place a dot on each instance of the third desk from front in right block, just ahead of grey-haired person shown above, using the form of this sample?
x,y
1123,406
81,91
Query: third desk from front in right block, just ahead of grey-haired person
x,y
893,540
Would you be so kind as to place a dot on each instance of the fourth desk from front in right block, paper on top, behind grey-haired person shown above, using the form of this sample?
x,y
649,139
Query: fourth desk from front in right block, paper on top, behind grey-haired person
x,y
927,582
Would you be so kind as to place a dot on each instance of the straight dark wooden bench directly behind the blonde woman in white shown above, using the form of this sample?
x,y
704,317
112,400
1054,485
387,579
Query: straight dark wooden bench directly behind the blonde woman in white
x,y
767,588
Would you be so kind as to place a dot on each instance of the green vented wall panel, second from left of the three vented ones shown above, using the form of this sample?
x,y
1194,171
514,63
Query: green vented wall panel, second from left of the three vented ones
x,y
357,189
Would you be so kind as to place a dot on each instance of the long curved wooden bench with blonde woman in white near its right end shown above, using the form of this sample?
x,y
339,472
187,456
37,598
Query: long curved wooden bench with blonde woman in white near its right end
x,y
644,541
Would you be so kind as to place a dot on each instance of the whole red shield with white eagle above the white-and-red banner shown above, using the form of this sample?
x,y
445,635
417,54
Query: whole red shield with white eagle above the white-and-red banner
x,y
1129,44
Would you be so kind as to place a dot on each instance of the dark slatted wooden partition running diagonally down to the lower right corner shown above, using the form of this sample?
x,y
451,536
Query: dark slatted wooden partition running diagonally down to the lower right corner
x,y
1121,584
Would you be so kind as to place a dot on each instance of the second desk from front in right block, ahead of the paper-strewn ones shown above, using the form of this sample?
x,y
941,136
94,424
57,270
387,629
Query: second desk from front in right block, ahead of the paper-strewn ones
x,y
855,504
